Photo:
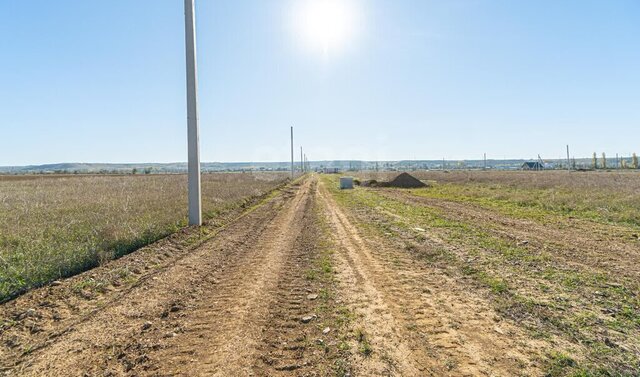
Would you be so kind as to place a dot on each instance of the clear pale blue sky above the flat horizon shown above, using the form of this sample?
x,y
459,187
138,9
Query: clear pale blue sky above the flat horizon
x,y
103,81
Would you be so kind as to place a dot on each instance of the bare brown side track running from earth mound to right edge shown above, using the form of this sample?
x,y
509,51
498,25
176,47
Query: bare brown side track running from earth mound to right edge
x,y
589,245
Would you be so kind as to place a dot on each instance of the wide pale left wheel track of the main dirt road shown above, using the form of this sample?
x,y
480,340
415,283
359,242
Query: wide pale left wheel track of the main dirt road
x,y
217,295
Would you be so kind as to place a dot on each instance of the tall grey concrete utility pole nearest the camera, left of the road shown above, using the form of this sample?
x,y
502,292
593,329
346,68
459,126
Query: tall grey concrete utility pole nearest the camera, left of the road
x,y
195,201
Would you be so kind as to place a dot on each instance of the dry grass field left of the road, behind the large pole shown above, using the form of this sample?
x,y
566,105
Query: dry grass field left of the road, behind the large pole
x,y
56,226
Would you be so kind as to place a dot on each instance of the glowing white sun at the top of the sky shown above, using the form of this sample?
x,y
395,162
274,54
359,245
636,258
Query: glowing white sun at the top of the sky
x,y
326,25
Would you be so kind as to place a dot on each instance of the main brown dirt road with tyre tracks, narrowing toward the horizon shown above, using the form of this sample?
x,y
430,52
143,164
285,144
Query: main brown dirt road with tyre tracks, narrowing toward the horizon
x,y
289,288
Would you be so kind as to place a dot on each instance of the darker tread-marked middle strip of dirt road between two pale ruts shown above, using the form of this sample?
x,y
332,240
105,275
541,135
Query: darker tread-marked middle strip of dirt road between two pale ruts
x,y
290,347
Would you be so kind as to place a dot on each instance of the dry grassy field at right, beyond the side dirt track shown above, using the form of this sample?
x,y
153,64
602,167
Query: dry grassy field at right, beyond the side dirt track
x,y
605,197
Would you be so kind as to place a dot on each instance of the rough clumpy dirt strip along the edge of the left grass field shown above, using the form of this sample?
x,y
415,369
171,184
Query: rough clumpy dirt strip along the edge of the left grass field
x,y
37,318
